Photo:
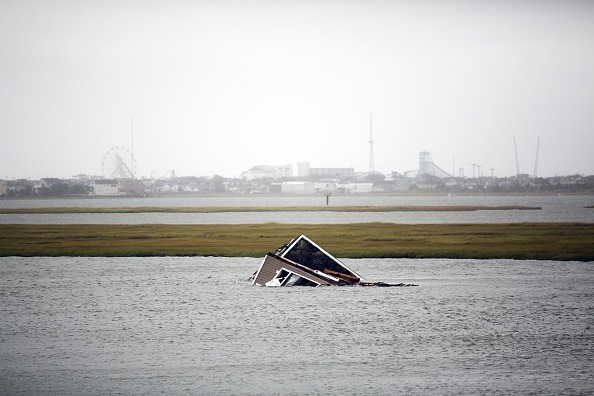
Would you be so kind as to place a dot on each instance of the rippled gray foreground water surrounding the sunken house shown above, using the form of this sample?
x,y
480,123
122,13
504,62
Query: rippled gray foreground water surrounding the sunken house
x,y
196,326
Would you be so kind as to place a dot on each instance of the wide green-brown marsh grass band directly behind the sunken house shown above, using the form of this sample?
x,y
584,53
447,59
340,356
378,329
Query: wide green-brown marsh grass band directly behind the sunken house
x,y
540,241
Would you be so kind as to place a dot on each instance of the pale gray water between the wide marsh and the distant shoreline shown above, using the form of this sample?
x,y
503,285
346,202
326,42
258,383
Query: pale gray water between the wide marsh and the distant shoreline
x,y
554,208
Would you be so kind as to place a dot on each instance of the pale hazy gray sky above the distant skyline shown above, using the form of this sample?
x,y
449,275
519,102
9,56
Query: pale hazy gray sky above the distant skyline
x,y
221,86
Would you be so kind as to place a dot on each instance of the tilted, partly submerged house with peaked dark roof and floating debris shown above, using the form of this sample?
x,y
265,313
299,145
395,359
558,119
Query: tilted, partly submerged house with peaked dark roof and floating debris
x,y
302,262
